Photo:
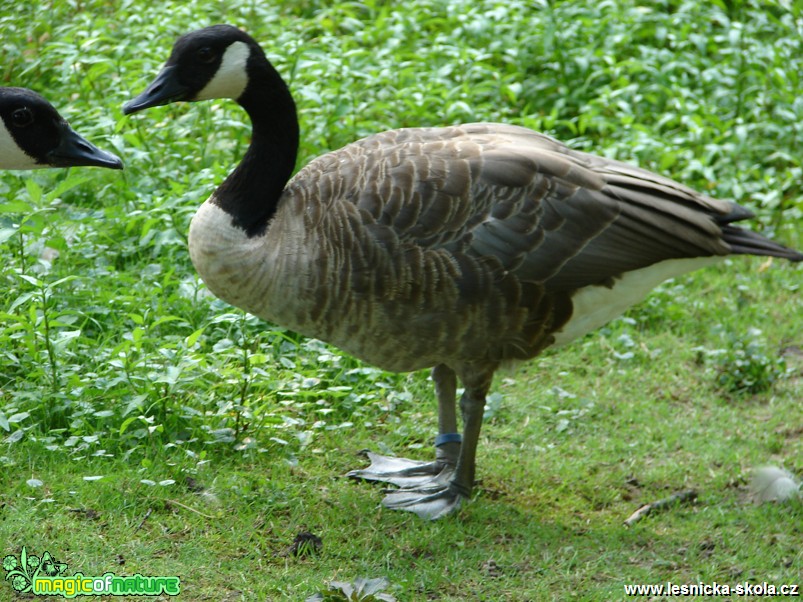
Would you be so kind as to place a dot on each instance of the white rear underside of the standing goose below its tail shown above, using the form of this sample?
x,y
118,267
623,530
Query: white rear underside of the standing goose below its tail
x,y
597,305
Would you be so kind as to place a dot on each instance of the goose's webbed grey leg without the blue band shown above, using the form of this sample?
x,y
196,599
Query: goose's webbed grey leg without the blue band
x,y
444,493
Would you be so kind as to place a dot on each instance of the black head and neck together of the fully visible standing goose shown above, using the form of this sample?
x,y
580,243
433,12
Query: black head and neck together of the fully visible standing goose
x,y
223,62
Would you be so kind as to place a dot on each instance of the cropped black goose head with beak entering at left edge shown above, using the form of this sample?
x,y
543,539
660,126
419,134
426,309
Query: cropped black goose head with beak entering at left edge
x,y
33,135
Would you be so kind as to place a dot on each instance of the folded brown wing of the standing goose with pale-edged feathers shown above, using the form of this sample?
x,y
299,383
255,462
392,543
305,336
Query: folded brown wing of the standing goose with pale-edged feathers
x,y
546,212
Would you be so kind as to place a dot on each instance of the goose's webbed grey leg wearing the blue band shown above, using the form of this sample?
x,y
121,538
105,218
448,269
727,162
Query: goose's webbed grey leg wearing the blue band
x,y
410,473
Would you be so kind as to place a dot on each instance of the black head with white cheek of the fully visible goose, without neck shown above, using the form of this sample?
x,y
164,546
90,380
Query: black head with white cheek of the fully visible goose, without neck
x,y
208,63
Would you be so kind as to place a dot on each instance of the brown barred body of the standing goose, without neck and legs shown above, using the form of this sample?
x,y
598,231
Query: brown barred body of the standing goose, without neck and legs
x,y
464,244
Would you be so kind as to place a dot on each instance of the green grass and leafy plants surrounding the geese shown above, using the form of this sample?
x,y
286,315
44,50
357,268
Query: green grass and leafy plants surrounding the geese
x,y
220,438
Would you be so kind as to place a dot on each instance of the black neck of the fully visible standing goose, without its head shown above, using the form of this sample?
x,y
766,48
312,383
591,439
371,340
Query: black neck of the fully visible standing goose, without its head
x,y
251,192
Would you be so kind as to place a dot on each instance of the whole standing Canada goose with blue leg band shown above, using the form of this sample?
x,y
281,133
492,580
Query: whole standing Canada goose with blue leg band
x,y
454,248
